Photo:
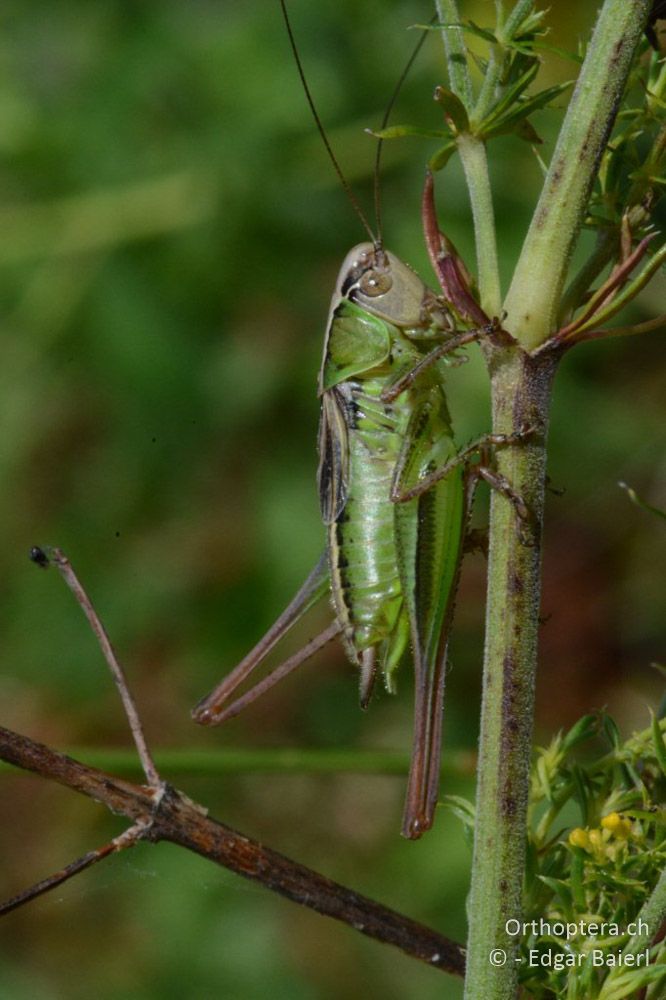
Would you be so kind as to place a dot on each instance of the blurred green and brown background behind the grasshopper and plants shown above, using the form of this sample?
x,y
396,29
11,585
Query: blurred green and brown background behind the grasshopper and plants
x,y
171,233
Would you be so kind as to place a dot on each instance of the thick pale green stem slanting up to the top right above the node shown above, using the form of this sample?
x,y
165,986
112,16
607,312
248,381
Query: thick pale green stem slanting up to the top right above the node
x,y
534,296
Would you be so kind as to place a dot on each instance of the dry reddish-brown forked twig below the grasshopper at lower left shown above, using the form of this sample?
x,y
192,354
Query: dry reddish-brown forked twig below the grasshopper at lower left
x,y
160,812
